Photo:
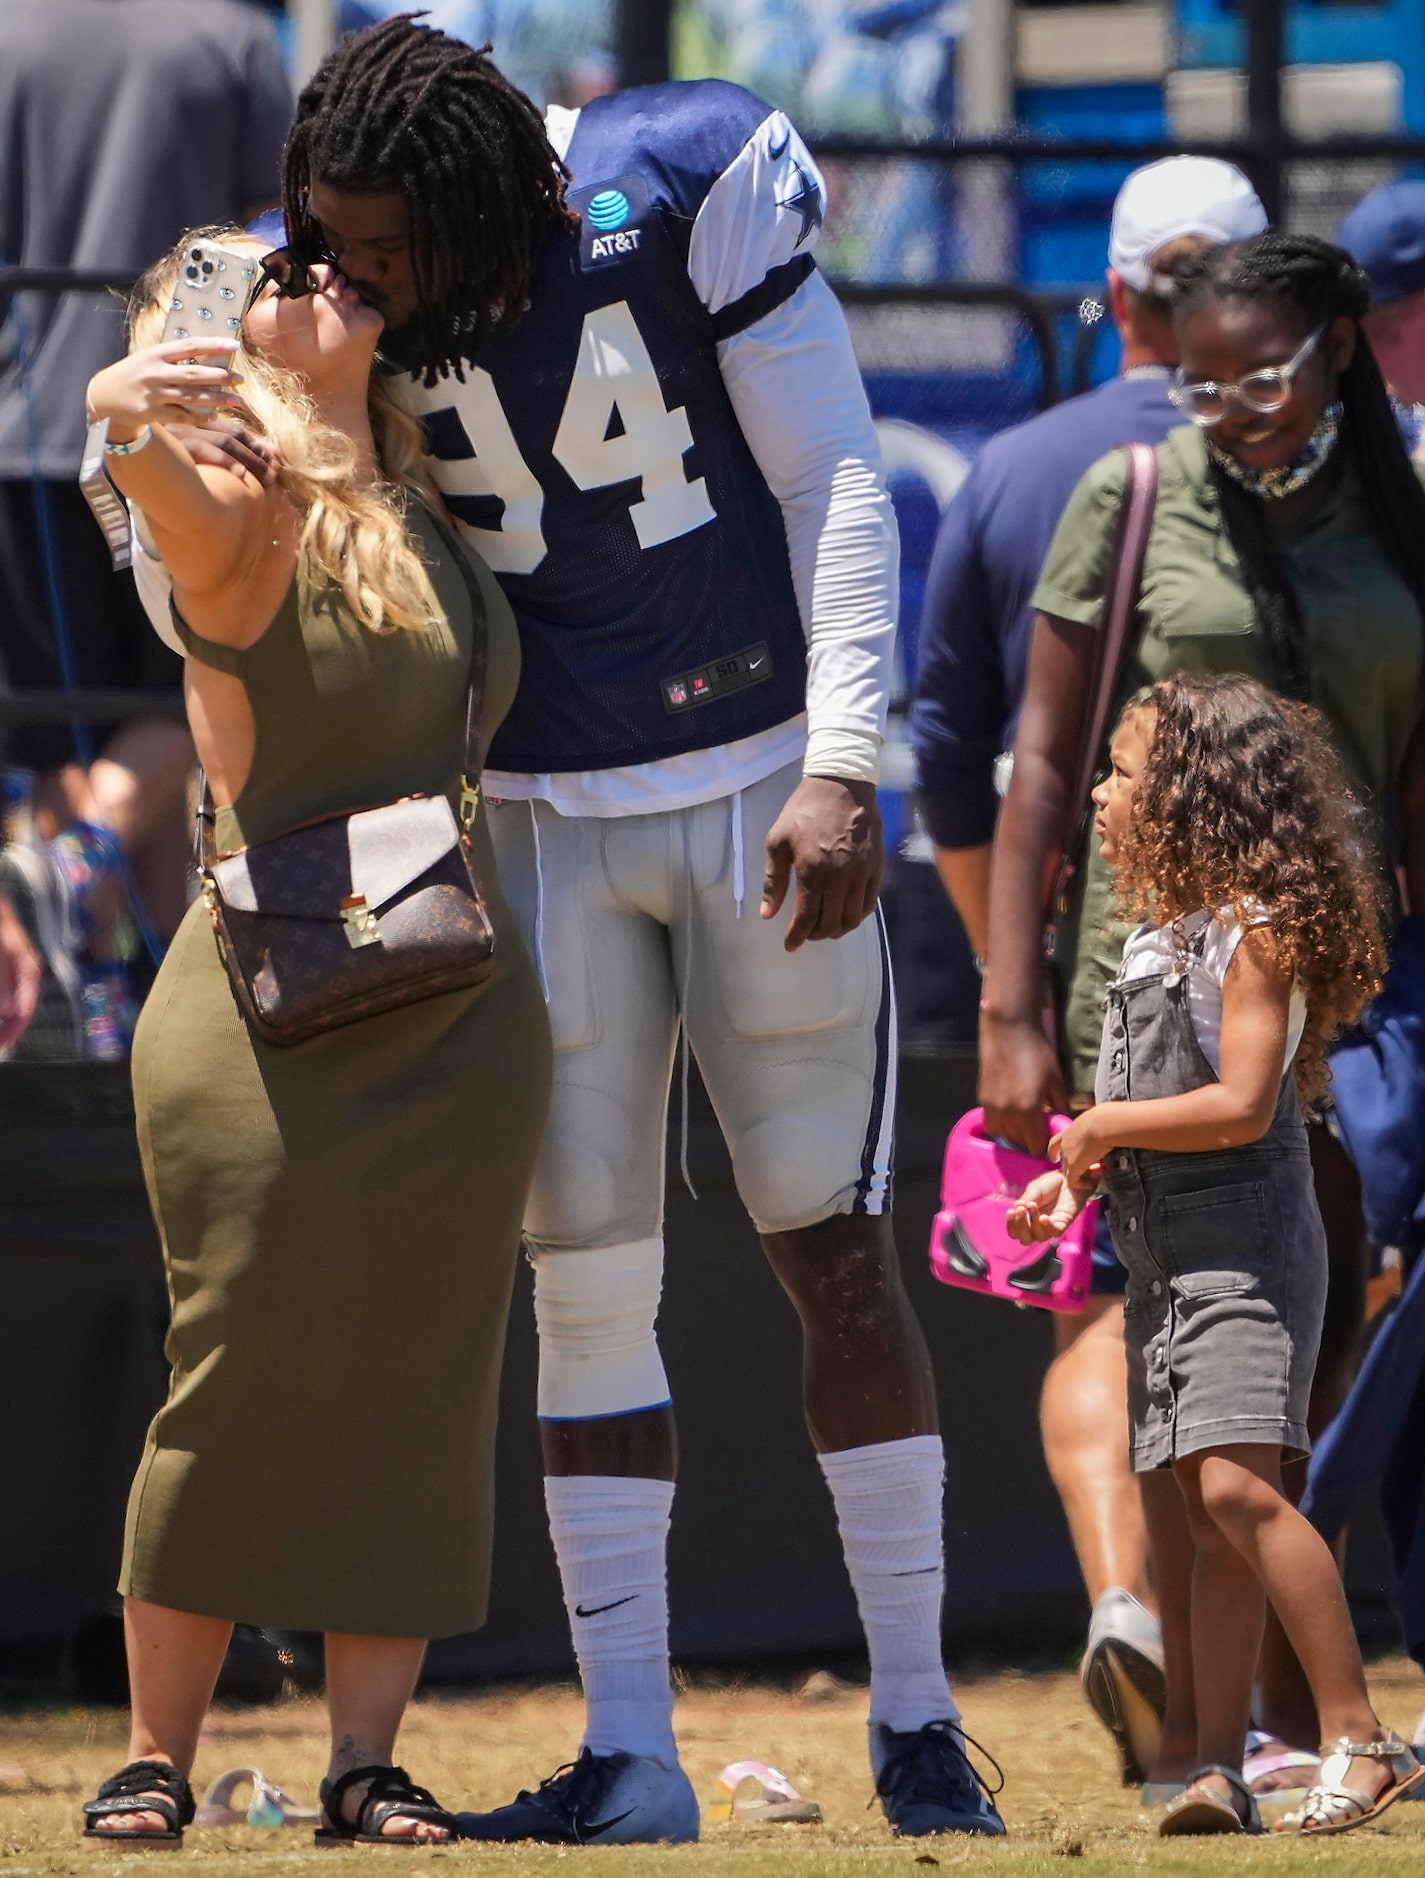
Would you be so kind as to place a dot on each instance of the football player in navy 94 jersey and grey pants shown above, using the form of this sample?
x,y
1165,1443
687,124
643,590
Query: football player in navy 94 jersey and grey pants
x,y
647,416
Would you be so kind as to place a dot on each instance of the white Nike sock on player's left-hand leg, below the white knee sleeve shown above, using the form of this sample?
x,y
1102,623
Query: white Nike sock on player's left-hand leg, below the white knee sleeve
x,y
611,1539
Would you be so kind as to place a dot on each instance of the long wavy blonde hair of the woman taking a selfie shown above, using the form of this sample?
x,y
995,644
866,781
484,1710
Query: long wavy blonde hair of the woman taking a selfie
x,y
354,531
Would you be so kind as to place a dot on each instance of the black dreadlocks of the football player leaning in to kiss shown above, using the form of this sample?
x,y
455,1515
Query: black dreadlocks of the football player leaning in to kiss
x,y
405,108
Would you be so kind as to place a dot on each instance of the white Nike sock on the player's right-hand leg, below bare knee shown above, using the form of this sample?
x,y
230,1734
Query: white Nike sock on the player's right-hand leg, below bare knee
x,y
889,1509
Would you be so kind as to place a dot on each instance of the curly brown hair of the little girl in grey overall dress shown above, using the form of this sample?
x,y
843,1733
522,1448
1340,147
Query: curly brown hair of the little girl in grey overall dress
x,y
1242,801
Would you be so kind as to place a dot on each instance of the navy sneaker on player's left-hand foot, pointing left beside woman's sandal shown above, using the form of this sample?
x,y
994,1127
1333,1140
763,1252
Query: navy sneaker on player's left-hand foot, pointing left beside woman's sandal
x,y
600,1800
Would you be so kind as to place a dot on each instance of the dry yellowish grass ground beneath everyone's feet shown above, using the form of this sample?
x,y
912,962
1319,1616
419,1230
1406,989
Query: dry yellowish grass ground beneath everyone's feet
x,y
1060,1798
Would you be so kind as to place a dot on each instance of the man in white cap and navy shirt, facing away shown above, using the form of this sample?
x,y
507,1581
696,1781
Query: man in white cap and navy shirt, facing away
x,y
975,647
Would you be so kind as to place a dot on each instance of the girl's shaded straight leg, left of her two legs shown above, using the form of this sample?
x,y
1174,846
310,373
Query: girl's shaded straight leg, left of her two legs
x,y
1229,1609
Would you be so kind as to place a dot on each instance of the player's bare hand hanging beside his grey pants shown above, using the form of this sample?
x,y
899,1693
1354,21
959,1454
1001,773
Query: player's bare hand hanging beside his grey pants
x,y
829,837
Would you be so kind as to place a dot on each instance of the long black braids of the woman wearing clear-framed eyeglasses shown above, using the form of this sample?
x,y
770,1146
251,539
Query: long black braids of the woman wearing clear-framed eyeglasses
x,y
1317,283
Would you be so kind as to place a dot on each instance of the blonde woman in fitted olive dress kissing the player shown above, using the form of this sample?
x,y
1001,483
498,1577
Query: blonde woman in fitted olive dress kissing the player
x,y
341,1218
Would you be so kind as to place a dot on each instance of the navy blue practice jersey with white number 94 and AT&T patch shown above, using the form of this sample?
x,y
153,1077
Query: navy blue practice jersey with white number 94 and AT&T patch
x,y
594,457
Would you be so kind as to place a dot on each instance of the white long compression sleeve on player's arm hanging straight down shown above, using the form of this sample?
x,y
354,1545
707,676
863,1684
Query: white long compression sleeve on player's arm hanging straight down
x,y
799,395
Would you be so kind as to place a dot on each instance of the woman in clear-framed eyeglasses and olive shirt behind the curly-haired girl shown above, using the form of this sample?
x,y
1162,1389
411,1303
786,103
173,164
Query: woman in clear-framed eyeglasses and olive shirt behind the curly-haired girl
x,y
1289,544
